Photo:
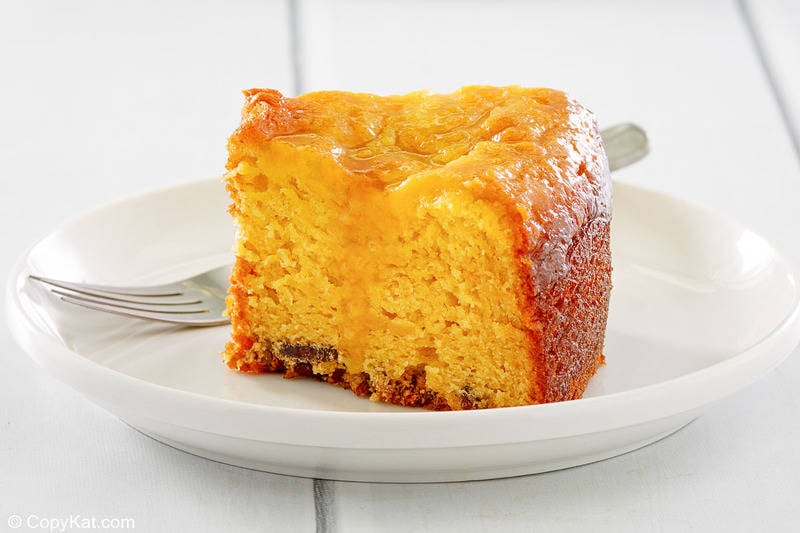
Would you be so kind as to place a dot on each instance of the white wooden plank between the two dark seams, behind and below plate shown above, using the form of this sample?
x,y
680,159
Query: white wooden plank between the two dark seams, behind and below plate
x,y
690,74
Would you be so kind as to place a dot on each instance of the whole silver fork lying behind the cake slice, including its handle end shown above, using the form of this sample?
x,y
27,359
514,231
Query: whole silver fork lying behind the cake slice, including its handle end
x,y
200,300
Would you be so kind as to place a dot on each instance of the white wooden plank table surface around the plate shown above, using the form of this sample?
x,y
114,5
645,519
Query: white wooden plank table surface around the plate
x,y
100,101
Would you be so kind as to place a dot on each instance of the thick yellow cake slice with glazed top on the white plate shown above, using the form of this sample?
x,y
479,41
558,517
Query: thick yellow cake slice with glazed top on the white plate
x,y
449,251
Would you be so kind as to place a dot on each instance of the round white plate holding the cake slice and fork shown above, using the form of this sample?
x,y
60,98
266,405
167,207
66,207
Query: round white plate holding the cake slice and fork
x,y
700,308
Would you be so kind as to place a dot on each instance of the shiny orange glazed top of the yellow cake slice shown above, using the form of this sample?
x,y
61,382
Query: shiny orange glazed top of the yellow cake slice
x,y
534,150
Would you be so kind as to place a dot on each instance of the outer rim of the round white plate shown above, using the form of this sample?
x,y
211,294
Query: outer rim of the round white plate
x,y
728,376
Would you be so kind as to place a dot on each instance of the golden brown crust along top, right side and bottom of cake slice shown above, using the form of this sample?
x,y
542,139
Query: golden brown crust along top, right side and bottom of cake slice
x,y
536,153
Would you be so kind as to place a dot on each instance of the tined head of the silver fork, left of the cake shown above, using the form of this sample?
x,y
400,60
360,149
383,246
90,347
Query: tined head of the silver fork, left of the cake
x,y
196,301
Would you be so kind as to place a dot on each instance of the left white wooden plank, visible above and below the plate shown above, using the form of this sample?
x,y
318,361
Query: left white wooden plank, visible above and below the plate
x,y
101,100
